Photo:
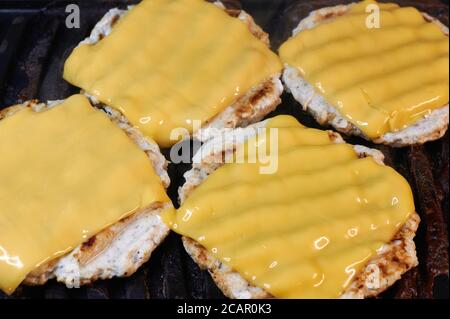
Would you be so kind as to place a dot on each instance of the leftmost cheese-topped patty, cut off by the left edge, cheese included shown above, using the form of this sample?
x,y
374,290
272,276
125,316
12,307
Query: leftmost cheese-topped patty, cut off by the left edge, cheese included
x,y
81,192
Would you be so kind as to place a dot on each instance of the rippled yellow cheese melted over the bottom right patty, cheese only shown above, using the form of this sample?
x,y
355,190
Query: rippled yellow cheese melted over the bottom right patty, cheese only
x,y
306,230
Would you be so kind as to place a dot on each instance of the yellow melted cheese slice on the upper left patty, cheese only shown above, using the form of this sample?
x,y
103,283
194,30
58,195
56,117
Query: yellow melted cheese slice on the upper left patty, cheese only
x,y
167,63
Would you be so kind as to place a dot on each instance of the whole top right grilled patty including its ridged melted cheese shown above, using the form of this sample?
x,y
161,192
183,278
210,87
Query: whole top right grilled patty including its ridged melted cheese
x,y
371,69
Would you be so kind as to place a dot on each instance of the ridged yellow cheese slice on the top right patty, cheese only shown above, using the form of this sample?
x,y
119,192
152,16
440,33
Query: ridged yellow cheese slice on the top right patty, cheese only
x,y
380,79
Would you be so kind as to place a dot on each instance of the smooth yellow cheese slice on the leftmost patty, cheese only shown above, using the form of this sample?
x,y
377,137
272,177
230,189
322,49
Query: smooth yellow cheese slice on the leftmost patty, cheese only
x,y
66,173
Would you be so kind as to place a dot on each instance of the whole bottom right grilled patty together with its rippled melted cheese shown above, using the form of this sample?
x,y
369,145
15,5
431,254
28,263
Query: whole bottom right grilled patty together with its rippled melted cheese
x,y
331,221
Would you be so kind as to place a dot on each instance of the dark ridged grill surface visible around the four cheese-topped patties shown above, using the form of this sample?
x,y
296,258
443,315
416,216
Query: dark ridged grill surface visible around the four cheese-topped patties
x,y
34,44
